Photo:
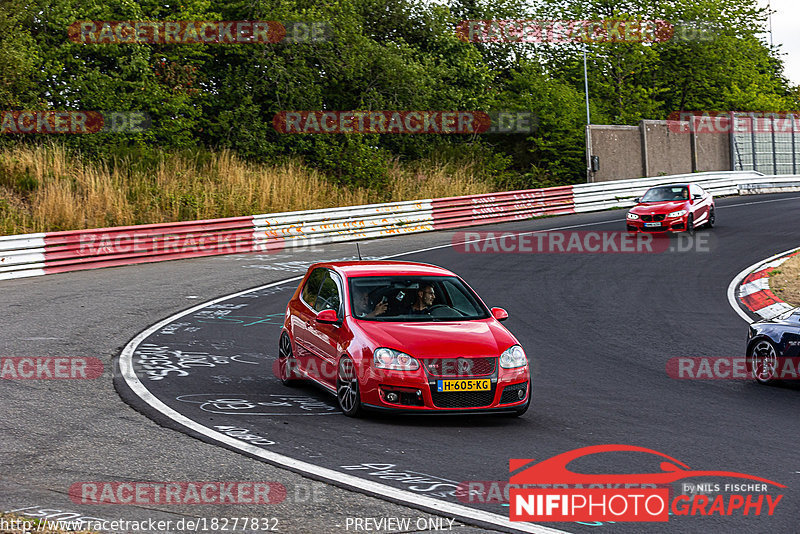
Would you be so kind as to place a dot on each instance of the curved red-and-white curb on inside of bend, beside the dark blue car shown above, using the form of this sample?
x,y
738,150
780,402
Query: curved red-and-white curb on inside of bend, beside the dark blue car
x,y
750,291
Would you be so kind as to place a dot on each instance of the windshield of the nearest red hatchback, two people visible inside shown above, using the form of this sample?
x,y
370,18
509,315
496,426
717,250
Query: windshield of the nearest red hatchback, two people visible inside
x,y
414,298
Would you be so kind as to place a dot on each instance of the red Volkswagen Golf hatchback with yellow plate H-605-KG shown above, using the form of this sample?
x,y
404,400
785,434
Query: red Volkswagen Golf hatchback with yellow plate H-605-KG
x,y
400,336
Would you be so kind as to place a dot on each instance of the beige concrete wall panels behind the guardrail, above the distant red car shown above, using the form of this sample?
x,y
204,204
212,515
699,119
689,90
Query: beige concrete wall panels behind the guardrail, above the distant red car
x,y
655,149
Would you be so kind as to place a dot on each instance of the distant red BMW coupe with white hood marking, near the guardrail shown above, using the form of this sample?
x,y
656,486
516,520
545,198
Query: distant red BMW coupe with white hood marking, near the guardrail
x,y
672,208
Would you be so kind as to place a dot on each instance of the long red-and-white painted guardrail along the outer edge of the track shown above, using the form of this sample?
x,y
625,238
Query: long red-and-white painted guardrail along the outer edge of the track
x,y
55,252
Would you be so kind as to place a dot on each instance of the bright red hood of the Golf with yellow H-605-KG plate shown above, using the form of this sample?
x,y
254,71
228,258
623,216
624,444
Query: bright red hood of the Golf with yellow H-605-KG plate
x,y
466,339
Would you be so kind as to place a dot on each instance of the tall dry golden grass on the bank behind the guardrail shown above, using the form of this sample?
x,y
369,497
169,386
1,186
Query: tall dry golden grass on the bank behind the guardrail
x,y
47,188
